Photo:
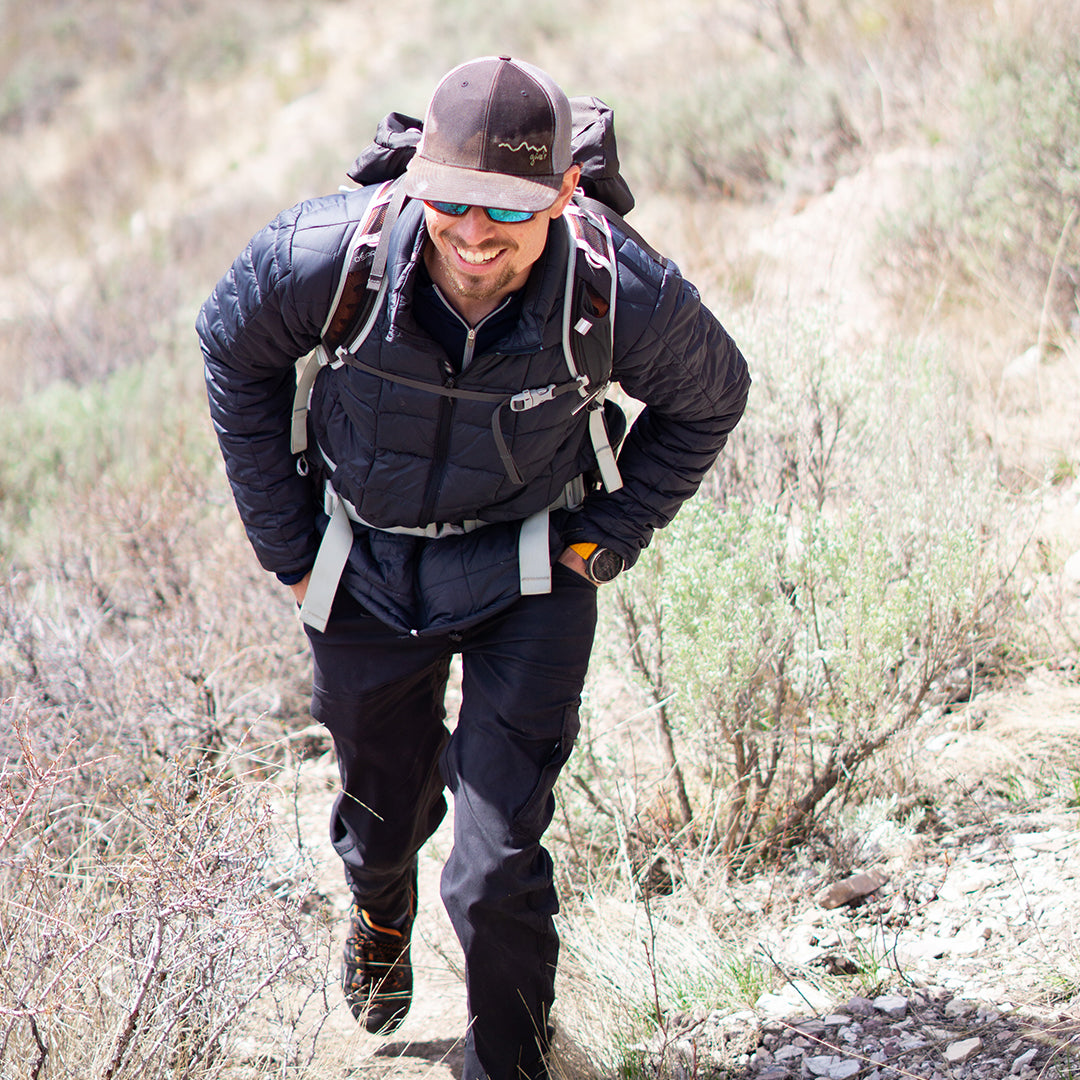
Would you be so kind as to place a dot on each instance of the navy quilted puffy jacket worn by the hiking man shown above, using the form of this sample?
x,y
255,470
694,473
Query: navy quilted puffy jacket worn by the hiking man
x,y
402,455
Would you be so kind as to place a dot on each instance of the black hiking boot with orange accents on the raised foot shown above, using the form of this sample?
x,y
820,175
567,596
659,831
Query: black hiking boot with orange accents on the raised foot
x,y
377,976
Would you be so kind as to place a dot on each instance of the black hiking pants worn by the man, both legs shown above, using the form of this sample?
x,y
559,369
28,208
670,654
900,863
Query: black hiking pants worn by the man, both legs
x,y
381,696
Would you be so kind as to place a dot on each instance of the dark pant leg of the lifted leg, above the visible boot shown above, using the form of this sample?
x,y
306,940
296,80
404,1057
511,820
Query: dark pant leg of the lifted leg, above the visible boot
x,y
381,696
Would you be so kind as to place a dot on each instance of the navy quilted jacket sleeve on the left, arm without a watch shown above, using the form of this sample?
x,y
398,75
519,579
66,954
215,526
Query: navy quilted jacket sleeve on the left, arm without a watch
x,y
263,316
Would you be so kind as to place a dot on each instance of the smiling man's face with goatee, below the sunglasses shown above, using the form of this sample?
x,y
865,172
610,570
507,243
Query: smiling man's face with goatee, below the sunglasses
x,y
477,262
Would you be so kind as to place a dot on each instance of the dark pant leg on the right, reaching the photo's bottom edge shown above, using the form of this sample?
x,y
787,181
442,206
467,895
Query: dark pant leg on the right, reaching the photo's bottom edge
x,y
523,674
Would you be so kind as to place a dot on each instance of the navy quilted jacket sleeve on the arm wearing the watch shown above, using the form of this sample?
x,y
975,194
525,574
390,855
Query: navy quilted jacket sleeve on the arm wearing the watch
x,y
672,355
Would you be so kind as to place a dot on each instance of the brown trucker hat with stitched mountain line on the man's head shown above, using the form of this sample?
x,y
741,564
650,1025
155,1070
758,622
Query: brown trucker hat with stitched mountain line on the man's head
x,y
497,133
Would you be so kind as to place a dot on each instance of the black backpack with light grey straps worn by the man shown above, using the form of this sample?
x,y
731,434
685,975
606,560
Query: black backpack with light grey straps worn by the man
x,y
588,332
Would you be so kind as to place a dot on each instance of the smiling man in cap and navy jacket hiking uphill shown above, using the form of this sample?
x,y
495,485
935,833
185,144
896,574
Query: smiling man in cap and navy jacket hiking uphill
x,y
466,529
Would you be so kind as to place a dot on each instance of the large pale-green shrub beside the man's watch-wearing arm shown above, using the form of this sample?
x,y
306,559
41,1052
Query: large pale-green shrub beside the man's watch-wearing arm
x,y
793,619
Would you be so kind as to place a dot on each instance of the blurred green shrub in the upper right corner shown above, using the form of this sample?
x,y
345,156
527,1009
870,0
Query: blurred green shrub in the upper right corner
x,y
1000,223
